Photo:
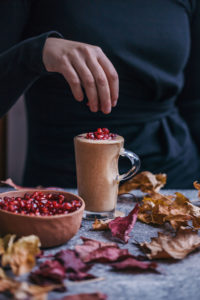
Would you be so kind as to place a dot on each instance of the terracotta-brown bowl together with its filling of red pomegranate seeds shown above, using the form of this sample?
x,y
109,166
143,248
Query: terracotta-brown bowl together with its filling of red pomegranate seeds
x,y
54,216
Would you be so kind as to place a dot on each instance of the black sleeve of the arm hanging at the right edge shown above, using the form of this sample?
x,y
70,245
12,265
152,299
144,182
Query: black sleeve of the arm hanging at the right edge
x,y
189,100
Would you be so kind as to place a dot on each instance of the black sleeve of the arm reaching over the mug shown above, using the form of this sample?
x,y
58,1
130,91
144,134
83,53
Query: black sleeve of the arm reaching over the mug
x,y
20,66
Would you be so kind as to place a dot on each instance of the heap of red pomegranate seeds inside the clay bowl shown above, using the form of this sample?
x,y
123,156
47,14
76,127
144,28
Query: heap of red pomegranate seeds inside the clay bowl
x,y
39,204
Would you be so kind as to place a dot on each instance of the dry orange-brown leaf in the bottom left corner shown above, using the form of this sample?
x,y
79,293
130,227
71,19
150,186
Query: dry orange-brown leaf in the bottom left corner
x,y
23,290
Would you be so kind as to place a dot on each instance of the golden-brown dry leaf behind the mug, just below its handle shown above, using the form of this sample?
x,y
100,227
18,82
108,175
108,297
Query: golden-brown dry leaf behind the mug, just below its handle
x,y
145,181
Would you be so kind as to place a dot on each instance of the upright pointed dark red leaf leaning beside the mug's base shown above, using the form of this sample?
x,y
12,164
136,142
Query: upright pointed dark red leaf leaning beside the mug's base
x,y
122,226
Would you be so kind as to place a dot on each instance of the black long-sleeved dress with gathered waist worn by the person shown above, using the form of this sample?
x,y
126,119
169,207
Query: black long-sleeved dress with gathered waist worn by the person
x,y
155,47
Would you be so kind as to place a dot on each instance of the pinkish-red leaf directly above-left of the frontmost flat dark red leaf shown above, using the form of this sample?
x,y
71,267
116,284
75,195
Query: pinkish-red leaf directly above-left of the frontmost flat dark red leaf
x,y
106,254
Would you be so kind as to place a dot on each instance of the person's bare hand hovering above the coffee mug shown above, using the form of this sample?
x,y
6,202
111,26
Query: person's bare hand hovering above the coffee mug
x,y
86,66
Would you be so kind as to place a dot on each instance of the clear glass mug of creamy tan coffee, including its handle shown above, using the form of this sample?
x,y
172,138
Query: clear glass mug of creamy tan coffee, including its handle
x,y
98,175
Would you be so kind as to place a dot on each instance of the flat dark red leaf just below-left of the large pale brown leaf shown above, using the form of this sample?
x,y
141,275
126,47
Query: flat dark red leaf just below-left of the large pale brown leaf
x,y
130,263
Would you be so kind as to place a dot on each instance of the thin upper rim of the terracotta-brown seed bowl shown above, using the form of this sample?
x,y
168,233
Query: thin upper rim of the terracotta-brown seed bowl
x,y
44,217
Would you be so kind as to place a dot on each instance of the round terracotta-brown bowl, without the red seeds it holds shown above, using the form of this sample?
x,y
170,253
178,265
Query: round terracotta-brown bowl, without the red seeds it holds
x,y
52,230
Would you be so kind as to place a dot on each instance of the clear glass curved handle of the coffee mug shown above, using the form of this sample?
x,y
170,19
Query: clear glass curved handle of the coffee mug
x,y
135,162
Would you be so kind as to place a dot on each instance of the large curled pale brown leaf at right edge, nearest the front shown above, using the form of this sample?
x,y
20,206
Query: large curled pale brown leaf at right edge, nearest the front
x,y
176,247
